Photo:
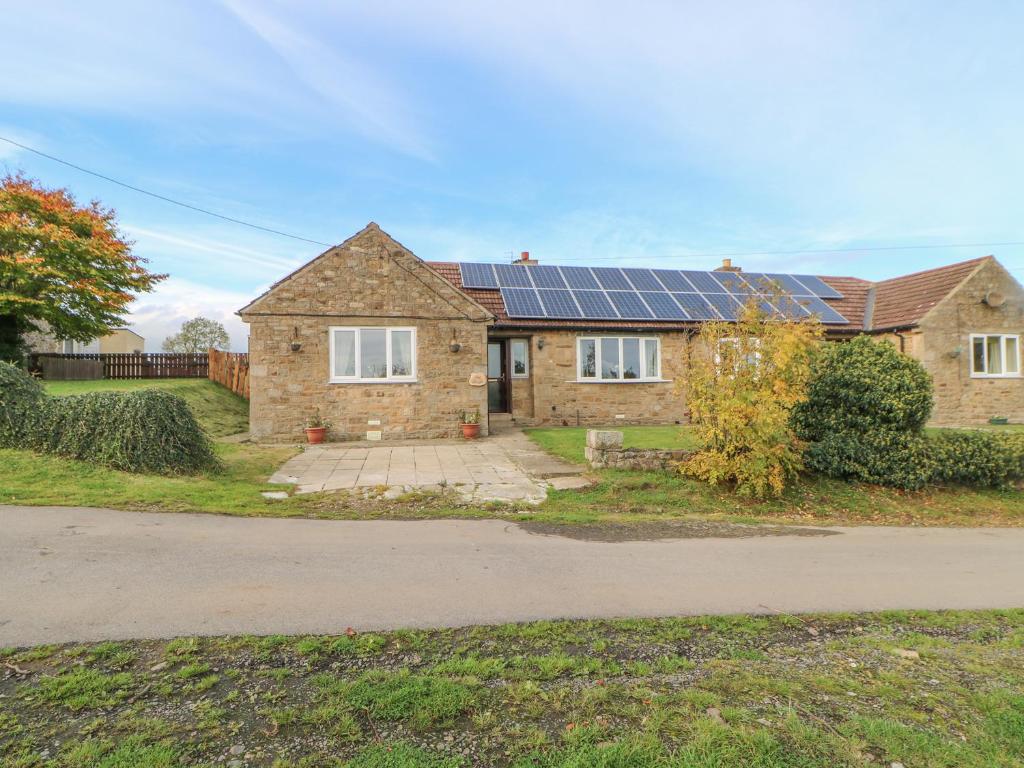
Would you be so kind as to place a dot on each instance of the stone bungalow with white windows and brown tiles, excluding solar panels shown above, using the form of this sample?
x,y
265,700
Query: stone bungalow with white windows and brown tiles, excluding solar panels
x,y
387,347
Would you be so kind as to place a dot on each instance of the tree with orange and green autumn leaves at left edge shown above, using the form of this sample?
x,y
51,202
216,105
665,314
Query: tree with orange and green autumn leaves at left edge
x,y
63,265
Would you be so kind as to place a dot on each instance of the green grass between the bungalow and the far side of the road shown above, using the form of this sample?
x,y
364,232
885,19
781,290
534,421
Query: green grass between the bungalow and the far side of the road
x,y
641,501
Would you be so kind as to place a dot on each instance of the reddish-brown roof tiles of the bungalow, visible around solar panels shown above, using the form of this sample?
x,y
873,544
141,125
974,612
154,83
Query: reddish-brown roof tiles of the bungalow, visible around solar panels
x,y
900,303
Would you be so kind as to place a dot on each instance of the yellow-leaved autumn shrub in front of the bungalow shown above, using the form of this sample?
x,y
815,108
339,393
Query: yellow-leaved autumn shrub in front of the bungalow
x,y
745,379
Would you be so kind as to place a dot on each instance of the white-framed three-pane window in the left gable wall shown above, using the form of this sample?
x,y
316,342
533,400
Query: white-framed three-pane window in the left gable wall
x,y
373,355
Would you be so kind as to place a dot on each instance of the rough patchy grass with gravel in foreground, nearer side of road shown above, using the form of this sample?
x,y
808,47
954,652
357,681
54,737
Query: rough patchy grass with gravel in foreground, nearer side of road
x,y
937,690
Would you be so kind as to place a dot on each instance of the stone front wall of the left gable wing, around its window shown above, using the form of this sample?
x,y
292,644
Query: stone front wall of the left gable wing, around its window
x,y
369,281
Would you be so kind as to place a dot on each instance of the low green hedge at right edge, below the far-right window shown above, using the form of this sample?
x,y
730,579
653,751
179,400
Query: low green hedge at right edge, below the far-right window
x,y
977,458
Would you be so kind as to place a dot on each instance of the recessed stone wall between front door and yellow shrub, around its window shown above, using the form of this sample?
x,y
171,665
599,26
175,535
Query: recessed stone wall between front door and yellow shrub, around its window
x,y
559,399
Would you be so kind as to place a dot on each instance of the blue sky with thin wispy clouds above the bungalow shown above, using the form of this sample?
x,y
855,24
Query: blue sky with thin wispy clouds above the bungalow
x,y
586,133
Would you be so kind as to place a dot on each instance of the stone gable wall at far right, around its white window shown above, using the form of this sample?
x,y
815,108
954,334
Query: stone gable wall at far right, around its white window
x,y
944,346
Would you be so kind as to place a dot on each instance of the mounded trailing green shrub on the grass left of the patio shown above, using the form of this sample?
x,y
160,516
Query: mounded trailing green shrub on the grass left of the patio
x,y
148,431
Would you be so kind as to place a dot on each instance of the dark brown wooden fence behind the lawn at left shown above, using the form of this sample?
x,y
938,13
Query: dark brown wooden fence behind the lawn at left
x,y
122,366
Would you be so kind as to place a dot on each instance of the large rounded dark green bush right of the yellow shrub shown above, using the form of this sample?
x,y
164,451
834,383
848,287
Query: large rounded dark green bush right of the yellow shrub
x,y
863,387
